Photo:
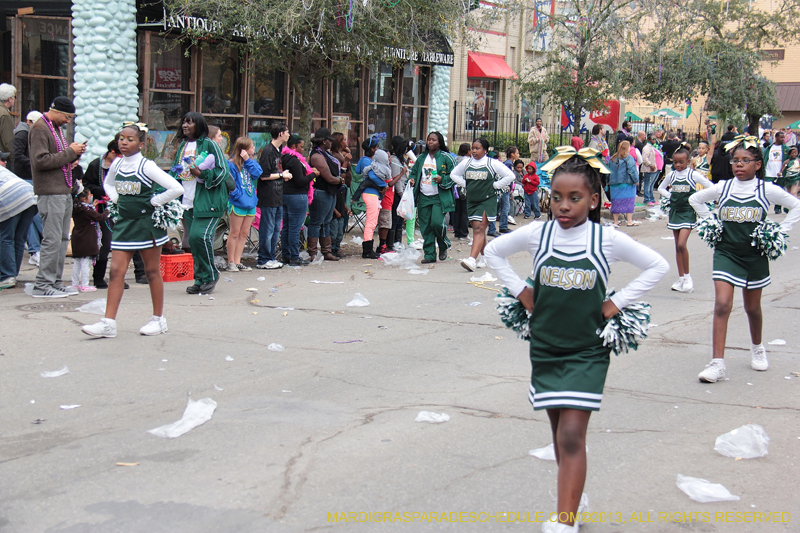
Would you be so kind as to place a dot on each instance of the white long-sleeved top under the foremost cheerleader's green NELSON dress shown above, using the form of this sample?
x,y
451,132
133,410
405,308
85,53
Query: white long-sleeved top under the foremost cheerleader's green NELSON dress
x,y
617,246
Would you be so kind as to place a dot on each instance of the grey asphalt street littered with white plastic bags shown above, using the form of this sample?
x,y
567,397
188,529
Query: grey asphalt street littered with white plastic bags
x,y
322,436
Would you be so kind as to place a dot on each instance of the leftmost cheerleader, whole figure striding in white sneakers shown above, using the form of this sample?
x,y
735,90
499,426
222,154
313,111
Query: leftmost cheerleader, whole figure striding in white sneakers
x,y
133,183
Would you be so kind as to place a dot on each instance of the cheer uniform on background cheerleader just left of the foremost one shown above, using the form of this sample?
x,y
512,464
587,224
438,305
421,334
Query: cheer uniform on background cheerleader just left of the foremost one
x,y
482,177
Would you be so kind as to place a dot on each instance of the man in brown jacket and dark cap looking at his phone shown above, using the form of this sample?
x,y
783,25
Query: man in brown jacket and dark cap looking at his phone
x,y
51,168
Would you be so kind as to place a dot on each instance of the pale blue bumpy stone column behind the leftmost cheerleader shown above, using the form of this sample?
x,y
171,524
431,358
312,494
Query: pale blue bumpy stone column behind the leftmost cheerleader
x,y
106,74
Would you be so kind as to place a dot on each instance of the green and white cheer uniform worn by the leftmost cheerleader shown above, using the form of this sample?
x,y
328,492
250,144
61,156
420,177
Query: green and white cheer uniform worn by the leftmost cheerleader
x,y
137,185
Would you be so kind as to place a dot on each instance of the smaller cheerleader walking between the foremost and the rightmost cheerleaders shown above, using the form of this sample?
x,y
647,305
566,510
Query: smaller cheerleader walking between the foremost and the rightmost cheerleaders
x,y
682,183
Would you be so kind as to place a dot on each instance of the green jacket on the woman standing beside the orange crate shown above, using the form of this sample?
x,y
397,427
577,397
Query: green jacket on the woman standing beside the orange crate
x,y
211,196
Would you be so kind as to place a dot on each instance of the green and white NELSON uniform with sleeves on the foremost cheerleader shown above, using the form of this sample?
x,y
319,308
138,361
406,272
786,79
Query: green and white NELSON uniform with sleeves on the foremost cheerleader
x,y
570,273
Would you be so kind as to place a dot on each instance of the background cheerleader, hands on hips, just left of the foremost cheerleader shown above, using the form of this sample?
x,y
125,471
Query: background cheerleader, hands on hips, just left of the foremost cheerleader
x,y
482,177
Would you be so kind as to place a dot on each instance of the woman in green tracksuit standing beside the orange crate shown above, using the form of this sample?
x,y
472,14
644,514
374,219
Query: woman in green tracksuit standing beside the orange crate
x,y
205,197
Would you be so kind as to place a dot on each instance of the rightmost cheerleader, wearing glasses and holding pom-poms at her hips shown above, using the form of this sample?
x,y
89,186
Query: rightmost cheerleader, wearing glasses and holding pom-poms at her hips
x,y
743,204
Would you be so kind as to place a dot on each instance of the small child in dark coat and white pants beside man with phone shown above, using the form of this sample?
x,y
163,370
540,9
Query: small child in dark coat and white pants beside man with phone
x,y
85,238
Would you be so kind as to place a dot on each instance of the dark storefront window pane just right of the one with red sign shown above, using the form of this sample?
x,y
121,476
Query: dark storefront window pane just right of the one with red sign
x,y
221,81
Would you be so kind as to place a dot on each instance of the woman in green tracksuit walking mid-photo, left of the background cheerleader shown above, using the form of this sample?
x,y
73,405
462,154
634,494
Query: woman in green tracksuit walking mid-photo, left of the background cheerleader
x,y
433,195
